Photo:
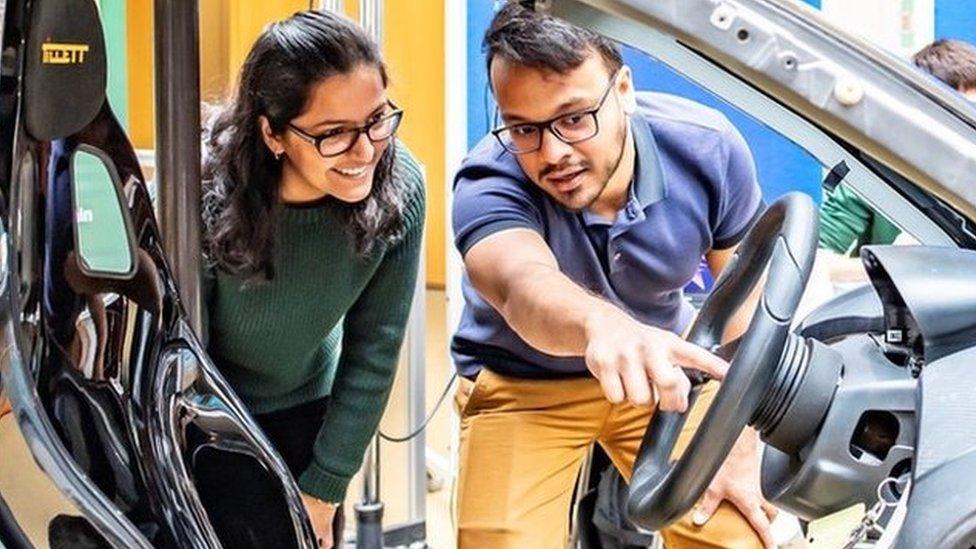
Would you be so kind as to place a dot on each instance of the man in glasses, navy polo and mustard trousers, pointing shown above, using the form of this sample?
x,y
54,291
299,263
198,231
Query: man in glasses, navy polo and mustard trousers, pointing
x,y
580,219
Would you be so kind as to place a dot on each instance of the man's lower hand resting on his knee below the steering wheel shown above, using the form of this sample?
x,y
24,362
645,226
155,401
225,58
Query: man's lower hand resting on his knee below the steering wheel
x,y
738,482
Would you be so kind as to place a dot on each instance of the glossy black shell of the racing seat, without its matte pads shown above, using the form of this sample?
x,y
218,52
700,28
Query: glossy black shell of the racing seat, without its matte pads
x,y
109,387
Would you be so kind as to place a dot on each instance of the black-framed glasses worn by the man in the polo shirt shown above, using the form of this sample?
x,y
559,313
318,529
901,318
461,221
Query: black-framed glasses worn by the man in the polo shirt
x,y
569,128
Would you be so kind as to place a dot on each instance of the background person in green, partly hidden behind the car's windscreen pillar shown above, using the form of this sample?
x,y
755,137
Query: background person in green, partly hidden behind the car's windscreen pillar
x,y
846,221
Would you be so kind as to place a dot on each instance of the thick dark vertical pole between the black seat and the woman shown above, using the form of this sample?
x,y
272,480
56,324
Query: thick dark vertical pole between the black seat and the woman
x,y
177,57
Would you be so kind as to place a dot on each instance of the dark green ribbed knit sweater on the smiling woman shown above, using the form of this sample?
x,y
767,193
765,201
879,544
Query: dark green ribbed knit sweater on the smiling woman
x,y
329,323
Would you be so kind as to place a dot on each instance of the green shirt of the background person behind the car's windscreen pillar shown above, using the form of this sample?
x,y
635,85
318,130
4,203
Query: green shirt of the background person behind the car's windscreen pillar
x,y
847,223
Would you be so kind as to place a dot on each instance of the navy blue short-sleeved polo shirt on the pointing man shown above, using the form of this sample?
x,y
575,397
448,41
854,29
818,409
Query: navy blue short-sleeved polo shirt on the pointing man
x,y
694,190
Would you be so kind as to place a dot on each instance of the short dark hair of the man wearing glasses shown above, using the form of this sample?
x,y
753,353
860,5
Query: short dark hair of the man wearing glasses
x,y
543,42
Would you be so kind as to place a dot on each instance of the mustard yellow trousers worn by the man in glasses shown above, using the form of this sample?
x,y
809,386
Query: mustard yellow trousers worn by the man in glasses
x,y
522,444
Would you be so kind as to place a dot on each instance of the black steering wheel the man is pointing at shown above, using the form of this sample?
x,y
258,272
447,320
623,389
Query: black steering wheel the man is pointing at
x,y
783,241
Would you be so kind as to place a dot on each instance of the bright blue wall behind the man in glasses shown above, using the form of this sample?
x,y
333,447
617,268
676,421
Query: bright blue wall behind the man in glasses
x,y
781,165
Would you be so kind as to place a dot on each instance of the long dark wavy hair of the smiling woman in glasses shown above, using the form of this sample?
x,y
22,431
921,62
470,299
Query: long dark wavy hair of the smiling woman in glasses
x,y
241,176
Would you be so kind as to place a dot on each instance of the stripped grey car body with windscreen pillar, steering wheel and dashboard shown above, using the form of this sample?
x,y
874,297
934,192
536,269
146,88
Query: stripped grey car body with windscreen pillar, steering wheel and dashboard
x,y
869,397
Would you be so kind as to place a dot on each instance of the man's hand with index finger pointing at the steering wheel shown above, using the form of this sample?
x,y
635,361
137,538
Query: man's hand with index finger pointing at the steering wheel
x,y
628,358
